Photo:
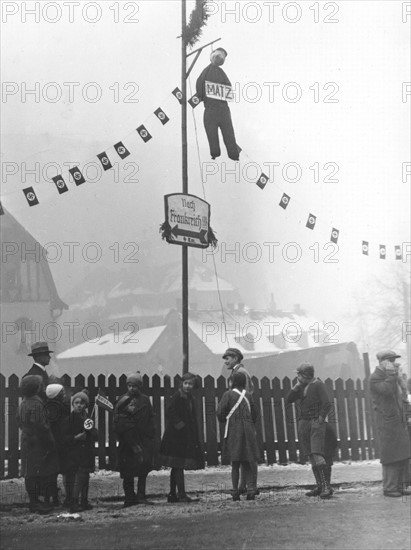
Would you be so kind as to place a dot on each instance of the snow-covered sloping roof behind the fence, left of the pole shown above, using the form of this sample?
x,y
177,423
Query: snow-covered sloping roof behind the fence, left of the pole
x,y
122,343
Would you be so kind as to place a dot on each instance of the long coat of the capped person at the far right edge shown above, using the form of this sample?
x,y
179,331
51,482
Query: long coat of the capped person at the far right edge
x,y
390,402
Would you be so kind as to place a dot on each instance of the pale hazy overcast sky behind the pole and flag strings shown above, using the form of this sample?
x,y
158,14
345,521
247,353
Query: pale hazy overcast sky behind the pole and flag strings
x,y
363,59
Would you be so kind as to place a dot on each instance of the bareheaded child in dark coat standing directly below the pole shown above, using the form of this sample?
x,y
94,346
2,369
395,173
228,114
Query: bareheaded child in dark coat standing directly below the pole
x,y
180,447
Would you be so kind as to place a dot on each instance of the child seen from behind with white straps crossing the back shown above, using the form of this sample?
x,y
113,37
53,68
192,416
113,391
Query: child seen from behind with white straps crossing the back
x,y
238,411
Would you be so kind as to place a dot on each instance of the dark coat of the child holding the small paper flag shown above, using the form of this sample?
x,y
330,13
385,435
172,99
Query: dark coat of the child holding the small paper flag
x,y
77,454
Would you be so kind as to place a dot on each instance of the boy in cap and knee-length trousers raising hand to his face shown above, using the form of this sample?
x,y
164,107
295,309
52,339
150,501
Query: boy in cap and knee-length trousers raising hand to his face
x,y
315,405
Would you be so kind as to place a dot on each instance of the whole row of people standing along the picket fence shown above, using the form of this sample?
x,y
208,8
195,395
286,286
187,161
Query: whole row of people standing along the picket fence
x,y
58,436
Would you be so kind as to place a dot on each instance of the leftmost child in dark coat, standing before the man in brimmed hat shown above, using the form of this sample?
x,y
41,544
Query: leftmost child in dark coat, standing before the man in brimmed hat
x,y
38,450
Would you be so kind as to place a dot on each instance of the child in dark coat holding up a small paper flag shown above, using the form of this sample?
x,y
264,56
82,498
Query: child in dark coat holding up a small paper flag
x,y
79,452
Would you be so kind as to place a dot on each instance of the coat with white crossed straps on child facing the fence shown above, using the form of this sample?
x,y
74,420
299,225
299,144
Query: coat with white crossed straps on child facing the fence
x,y
241,441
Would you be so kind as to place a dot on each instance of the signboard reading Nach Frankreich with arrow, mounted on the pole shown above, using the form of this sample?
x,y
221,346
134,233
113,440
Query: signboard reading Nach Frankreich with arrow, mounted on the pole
x,y
189,219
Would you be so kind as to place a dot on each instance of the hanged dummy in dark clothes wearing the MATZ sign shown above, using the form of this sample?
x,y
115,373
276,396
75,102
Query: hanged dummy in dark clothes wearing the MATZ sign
x,y
216,111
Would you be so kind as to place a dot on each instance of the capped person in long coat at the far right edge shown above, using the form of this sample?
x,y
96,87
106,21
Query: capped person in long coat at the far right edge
x,y
389,396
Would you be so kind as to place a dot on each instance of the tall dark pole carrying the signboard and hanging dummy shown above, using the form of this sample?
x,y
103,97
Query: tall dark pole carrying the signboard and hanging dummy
x,y
185,185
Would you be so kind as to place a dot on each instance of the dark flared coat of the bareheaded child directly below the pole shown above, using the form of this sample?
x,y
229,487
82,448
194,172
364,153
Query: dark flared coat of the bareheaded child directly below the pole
x,y
181,437
